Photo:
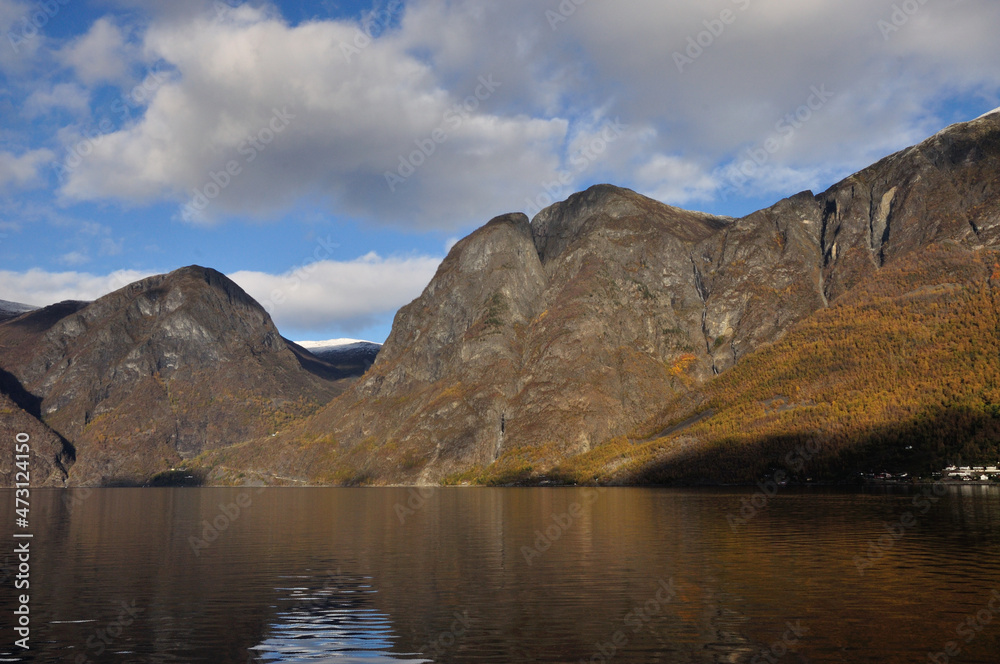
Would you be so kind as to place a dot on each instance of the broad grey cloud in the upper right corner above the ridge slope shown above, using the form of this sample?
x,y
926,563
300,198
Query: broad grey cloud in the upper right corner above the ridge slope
x,y
764,64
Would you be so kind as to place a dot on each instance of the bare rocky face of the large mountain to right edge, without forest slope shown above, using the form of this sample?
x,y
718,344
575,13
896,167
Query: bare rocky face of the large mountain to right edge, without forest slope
x,y
547,339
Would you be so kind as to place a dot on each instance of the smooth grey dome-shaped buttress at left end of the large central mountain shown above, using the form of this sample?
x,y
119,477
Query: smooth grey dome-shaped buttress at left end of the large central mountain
x,y
446,380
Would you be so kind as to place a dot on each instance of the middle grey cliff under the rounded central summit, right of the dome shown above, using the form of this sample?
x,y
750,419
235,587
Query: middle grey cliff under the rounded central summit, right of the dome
x,y
620,319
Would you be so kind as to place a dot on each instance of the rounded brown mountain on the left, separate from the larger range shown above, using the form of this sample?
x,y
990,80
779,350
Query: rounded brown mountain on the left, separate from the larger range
x,y
159,371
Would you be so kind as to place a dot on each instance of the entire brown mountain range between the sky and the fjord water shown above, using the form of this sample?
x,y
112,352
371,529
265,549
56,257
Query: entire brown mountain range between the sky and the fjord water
x,y
611,339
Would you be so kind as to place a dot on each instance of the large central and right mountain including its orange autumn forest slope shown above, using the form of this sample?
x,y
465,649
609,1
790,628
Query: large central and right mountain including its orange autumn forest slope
x,y
598,339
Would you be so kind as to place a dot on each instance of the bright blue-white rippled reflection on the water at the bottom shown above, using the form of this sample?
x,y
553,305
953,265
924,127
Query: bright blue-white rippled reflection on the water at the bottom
x,y
329,619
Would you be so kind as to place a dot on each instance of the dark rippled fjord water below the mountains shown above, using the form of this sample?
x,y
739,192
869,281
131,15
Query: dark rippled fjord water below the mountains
x,y
507,575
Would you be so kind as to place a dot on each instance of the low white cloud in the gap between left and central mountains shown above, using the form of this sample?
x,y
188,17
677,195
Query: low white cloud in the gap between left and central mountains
x,y
346,295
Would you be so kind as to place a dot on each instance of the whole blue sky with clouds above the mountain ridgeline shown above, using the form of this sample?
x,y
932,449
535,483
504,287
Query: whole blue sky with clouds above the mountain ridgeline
x,y
326,155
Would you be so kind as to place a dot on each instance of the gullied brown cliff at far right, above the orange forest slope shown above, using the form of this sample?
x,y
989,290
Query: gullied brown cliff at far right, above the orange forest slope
x,y
945,188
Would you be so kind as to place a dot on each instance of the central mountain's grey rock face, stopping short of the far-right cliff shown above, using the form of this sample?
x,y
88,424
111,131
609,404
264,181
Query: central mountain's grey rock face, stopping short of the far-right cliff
x,y
571,330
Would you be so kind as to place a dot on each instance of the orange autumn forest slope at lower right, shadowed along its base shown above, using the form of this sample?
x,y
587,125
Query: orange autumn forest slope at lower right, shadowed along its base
x,y
901,374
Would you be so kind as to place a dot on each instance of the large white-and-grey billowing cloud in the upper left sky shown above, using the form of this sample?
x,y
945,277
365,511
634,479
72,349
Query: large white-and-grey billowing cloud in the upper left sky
x,y
299,116
